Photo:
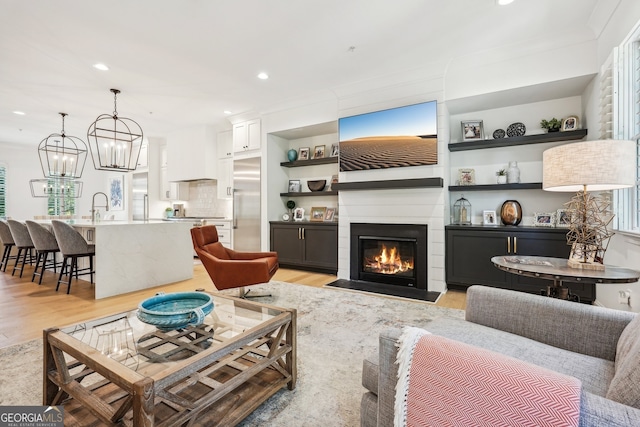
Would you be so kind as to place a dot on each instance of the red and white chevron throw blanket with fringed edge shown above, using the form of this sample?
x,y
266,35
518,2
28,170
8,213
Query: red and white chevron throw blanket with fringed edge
x,y
442,382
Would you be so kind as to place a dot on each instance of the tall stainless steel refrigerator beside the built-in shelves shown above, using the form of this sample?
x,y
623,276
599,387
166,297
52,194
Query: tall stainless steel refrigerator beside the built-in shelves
x,y
246,204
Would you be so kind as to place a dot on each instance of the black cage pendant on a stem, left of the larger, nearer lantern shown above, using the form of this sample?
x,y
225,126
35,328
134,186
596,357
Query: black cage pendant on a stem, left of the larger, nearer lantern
x,y
62,156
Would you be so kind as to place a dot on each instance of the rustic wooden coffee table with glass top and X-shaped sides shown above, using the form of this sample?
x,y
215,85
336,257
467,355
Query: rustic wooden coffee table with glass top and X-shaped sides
x,y
118,370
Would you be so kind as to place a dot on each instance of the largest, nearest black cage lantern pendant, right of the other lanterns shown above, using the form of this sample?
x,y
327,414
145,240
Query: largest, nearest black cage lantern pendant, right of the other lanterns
x,y
114,142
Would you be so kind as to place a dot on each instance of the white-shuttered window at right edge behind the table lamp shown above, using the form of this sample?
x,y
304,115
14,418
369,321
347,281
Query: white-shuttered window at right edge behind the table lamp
x,y
627,125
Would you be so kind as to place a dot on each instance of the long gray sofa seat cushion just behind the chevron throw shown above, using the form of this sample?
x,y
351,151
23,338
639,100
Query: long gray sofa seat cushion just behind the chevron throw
x,y
594,373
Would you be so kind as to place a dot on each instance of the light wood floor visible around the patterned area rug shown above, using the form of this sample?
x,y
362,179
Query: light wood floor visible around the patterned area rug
x,y
26,308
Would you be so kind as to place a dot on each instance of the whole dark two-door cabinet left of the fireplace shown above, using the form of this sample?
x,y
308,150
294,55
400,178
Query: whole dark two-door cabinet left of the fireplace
x,y
306,245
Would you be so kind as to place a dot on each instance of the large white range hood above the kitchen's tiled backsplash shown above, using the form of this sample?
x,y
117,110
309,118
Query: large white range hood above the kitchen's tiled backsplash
x,y
191,154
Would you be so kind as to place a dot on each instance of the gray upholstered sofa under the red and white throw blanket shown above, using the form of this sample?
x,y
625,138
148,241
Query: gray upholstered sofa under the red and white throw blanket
x,y
599,346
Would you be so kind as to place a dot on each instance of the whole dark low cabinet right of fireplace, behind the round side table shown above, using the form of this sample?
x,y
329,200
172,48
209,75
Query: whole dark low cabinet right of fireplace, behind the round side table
x,y
469,250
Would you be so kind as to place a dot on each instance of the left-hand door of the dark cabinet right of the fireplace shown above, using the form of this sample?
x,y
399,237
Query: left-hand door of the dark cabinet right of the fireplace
x,y
469,256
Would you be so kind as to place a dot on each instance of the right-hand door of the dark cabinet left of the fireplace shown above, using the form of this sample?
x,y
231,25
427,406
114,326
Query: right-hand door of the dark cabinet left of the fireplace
x,y
321,246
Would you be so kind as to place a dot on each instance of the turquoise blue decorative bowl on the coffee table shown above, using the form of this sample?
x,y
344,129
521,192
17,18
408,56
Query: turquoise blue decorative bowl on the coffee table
x,y
176,310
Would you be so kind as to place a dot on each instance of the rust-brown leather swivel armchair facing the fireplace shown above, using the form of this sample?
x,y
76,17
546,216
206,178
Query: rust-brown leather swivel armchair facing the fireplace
x,y
228,268
